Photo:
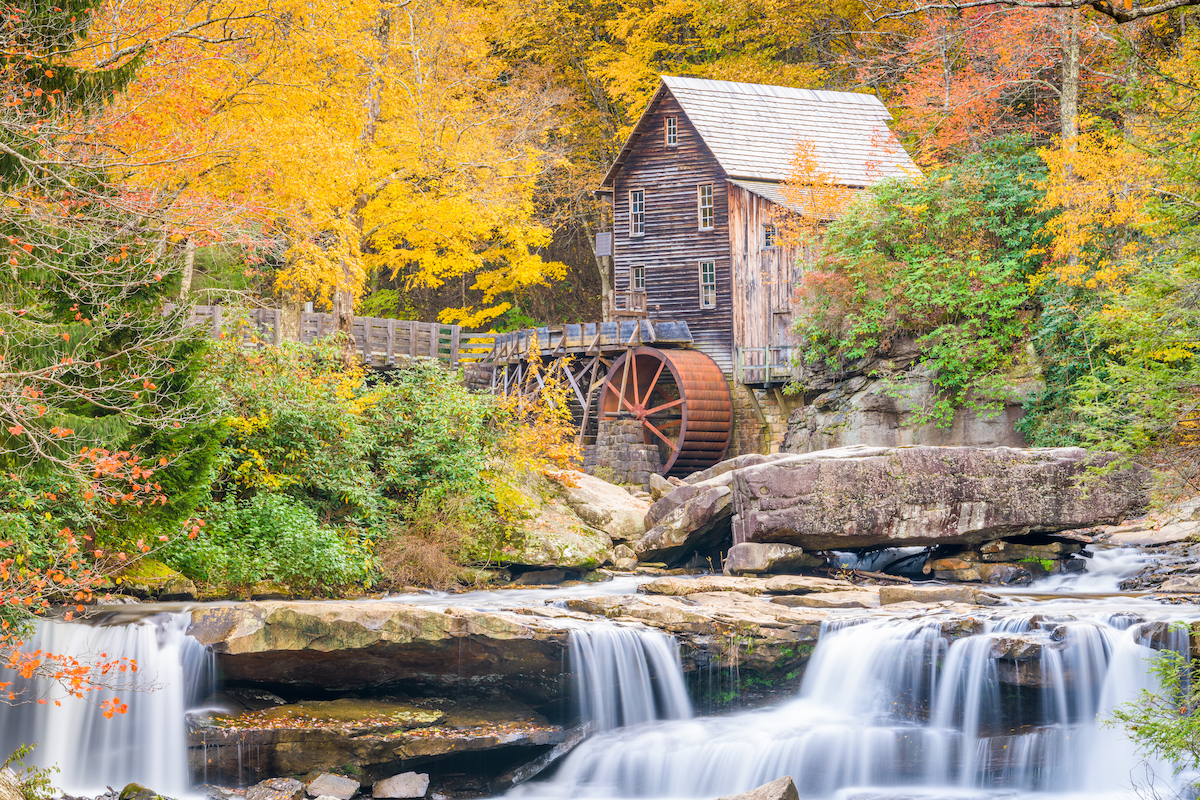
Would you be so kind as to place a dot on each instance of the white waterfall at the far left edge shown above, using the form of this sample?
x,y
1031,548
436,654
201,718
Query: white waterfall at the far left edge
x,y
148,744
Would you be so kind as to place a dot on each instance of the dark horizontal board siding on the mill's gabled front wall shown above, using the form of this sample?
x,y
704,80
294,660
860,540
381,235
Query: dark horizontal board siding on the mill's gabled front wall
x,y
674,246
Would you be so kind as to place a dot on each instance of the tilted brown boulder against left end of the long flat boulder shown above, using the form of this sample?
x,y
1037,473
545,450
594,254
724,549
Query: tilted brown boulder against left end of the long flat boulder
x,y
700,524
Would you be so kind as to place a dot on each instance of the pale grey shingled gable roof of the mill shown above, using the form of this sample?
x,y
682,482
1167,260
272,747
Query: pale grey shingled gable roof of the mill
x,y
754,130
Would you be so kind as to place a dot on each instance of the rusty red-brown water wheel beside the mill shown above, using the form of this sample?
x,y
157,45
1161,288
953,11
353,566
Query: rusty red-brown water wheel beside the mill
x,y
682,400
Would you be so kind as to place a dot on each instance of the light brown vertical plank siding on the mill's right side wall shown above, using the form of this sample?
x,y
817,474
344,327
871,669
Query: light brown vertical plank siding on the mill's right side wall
x,y
764,278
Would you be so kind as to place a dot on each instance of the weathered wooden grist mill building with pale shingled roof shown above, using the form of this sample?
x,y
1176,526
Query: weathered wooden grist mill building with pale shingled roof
x,y
698,200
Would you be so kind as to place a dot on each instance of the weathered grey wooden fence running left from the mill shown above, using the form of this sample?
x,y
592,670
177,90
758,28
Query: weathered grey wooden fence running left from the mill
x,y
381,342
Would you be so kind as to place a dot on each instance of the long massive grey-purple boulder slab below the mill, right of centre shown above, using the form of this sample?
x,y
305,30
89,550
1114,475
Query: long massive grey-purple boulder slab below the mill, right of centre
x,y
871,497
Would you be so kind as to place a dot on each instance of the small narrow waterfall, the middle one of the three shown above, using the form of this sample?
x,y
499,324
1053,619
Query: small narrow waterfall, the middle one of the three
x,y
627,677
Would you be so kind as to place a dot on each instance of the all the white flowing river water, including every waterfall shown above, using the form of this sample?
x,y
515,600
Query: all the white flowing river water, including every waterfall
x,y
890,707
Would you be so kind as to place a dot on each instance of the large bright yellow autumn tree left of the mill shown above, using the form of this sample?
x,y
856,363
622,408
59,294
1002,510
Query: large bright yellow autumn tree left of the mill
x,y
367,136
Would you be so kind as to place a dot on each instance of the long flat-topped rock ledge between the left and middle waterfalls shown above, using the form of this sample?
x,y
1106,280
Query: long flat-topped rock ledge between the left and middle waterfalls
x,y
351,647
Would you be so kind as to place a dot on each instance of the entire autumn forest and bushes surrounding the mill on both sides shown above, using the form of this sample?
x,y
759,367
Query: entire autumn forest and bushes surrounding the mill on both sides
x,y
436,160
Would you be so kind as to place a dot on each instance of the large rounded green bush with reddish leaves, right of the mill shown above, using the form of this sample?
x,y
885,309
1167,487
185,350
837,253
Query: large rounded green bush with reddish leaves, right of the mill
x,y
943,258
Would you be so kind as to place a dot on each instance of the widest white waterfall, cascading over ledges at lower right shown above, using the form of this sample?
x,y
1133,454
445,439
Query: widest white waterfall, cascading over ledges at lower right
x,y
901,705
